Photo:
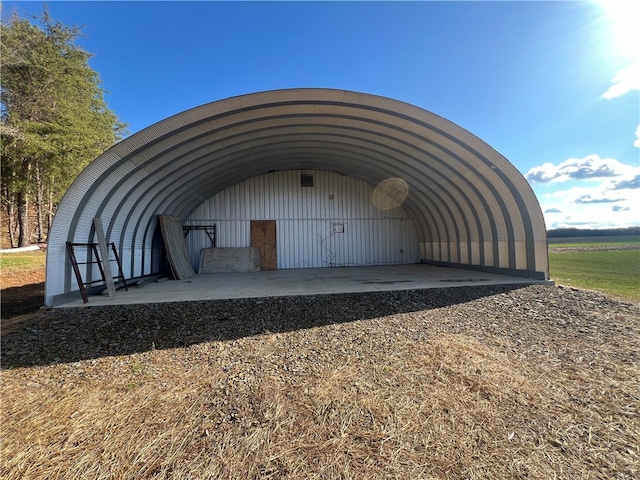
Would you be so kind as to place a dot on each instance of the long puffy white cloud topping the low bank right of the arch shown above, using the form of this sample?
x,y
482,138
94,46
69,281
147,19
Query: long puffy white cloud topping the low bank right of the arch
x,y
592,167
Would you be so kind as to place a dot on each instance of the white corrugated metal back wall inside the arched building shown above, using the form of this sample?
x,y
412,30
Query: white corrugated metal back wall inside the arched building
x,y
305,219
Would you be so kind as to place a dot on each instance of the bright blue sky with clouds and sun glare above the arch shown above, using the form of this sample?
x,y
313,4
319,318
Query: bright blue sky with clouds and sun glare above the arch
x,y
553,86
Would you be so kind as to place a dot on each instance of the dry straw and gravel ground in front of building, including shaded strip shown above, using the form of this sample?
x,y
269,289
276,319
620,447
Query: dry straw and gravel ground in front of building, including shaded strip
x,y
538,382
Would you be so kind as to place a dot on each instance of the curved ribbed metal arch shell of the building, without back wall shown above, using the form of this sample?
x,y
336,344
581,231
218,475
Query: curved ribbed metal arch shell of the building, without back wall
x,y
462,191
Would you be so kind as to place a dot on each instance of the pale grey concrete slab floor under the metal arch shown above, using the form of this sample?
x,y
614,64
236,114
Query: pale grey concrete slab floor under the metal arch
x,y
310,281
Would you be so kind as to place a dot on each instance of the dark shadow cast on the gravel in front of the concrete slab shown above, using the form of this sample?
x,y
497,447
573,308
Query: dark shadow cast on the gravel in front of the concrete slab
x,y
75,334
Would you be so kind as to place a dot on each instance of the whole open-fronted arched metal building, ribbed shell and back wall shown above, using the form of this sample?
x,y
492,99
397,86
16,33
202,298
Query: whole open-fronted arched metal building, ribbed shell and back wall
x,y
349,179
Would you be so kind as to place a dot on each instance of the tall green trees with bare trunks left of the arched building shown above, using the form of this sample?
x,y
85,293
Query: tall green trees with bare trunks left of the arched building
x,y
53,122
